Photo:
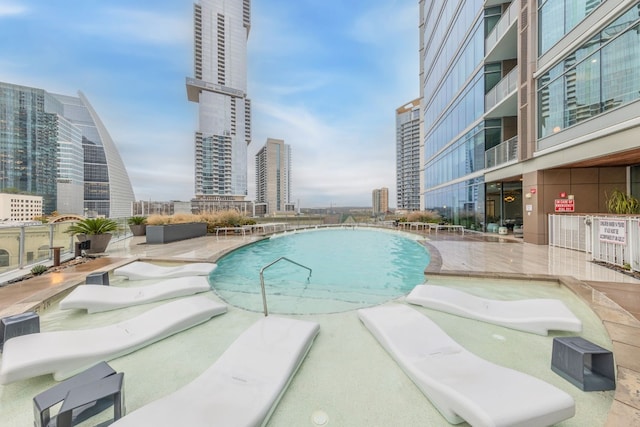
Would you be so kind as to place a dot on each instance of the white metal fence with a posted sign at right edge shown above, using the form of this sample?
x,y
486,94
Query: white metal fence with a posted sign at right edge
x,y
611,239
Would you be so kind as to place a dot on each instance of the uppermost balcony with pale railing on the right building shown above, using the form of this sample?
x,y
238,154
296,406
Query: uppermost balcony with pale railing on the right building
x,y
501,43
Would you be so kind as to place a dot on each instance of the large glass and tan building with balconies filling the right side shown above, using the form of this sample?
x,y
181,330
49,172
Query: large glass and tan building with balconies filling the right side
x,y
525,102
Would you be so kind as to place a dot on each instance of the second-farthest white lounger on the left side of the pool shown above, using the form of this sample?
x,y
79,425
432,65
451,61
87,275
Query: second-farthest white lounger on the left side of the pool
x,y
96,298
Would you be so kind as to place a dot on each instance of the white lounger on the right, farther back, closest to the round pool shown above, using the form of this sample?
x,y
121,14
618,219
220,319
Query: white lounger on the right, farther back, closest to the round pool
x,y
537,316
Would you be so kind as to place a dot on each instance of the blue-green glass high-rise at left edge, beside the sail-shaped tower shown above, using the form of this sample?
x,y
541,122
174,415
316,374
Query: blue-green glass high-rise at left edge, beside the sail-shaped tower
x,y
28,144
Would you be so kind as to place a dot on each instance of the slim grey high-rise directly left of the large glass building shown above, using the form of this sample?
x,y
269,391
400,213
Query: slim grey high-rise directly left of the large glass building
x,y
408,156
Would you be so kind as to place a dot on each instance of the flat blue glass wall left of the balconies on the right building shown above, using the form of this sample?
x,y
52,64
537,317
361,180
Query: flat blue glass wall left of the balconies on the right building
x,y
453,94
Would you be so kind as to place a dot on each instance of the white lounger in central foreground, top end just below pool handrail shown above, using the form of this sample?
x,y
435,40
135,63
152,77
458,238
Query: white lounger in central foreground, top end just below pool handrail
x,y
242,387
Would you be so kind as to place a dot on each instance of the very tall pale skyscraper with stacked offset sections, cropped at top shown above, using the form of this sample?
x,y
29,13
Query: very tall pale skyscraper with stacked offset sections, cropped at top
x,y
219,86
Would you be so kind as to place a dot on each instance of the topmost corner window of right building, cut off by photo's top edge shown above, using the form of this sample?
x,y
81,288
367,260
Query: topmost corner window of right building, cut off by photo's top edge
x,y
557,17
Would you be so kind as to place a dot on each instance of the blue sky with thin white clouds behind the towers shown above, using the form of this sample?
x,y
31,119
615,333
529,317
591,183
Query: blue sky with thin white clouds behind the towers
x,y
324,75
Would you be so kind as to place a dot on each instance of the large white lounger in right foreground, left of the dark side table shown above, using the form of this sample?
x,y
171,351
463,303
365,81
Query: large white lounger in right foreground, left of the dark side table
x,y
461,385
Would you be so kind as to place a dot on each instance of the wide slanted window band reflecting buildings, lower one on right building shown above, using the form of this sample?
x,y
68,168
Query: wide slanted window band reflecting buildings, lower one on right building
x,y
602,74
